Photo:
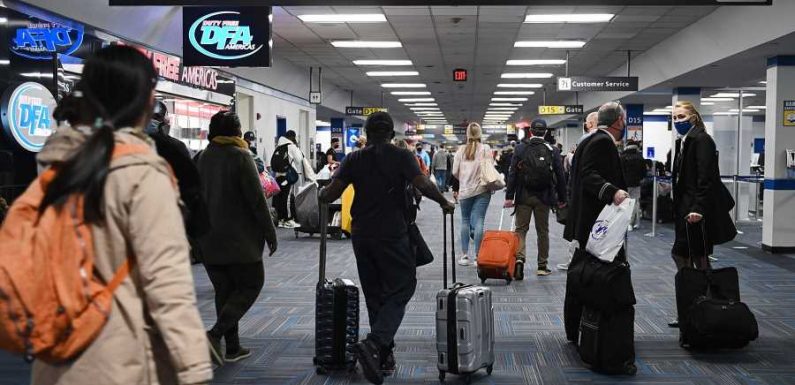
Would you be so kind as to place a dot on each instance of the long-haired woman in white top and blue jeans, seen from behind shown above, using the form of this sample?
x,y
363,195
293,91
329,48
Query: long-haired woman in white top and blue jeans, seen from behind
x,y
472,194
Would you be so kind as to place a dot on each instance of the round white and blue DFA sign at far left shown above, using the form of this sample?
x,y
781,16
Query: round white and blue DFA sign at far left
x,y
27,115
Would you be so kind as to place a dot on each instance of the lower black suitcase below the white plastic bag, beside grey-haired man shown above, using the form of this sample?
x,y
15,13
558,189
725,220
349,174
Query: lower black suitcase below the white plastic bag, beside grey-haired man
x,y
607,340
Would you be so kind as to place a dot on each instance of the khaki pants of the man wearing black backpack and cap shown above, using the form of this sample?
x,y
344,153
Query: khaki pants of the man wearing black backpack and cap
x,y
525,210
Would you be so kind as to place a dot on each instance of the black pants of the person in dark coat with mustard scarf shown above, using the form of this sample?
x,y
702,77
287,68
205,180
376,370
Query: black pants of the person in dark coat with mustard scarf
x,y
236,288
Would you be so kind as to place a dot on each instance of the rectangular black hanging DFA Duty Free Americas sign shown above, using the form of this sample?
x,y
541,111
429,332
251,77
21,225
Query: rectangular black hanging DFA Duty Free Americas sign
x,y
227,37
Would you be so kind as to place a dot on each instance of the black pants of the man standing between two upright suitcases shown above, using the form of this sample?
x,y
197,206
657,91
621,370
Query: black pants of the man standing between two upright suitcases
x,y
388,273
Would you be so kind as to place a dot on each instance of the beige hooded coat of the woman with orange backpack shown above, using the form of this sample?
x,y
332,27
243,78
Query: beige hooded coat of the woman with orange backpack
x,y
154,335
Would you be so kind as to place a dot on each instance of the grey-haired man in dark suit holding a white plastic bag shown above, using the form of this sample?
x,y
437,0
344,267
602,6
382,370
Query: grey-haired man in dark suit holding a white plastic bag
x,y
597,176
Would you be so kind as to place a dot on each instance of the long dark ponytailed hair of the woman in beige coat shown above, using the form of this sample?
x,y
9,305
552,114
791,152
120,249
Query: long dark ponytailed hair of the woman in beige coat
x,y
115,92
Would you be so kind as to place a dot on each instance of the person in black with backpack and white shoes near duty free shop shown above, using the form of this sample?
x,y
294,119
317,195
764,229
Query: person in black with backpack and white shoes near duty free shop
x,y
288,164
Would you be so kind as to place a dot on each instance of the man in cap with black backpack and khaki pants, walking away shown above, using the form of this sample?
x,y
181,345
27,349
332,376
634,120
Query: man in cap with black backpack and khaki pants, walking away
x,y
535,183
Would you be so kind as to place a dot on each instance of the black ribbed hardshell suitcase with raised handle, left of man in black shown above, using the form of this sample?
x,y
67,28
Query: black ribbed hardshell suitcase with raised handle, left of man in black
x,y
336,315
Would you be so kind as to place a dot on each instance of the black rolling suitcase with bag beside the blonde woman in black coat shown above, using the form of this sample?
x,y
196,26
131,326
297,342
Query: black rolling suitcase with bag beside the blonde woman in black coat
x,y
711,315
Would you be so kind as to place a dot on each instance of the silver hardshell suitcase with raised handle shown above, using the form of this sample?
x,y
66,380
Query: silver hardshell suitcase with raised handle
x,y
464,324
